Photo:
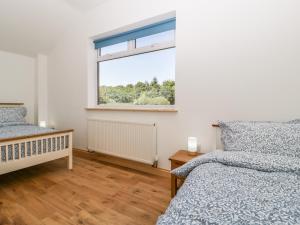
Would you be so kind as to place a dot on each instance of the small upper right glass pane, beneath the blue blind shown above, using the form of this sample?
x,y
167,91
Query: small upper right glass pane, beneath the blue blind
x,y
156,39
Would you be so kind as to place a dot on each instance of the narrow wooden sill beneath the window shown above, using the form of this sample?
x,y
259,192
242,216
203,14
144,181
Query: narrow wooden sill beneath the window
x,y
130,109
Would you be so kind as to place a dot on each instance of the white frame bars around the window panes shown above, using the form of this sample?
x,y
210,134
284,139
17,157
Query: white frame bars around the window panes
x,y
132,50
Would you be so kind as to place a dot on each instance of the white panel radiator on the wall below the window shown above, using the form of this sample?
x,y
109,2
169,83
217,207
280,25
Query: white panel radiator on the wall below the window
x,y
134,141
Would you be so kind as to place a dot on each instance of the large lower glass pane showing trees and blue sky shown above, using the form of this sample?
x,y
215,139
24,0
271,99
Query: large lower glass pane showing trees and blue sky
x,y
146,79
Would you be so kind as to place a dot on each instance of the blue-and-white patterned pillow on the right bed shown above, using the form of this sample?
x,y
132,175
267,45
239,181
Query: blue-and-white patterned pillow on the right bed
x,y
261,137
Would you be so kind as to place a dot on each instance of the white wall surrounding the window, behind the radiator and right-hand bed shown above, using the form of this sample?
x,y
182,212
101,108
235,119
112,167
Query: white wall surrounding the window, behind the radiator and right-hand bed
x,y
235,60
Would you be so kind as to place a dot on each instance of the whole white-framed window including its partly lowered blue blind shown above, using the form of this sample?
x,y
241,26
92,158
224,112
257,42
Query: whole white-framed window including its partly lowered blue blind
x,y
139,70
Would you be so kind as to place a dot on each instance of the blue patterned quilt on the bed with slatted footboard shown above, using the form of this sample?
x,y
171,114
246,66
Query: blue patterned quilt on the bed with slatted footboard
x,y
21,130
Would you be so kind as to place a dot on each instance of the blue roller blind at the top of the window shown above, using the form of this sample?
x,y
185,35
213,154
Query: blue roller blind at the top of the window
x,y
156,28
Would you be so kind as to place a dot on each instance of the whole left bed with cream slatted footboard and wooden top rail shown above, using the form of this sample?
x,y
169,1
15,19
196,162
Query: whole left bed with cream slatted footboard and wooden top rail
x,y
23,145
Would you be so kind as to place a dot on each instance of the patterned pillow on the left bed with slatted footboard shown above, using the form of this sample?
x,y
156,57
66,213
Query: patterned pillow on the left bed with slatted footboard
x,y
12,116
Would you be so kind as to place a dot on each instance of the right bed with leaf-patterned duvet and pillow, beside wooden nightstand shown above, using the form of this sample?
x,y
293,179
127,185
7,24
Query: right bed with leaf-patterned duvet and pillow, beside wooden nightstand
x,y
247,184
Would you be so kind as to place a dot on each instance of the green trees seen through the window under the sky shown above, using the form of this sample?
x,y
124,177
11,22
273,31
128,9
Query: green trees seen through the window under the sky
x,y
141,93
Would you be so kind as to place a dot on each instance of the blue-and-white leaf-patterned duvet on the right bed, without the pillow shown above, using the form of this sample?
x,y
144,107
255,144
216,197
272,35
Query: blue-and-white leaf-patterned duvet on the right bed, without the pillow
x,y
237,188
